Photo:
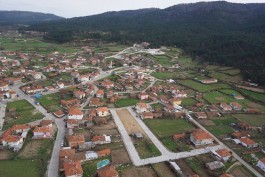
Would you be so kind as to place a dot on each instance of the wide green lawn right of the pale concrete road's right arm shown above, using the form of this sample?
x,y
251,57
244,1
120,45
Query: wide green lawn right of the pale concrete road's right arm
x,y
167,127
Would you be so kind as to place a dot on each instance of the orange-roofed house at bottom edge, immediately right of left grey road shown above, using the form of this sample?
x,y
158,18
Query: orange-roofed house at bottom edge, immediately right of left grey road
x,y
73,169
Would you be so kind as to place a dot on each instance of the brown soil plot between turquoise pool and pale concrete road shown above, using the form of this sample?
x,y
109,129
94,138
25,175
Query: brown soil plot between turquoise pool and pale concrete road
x,y
120,156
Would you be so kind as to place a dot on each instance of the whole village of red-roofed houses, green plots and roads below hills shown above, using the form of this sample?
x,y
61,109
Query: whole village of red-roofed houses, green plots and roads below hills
x,y
113,110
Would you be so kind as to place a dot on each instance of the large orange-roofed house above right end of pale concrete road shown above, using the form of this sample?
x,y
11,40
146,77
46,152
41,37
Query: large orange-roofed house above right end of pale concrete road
x,y
200,137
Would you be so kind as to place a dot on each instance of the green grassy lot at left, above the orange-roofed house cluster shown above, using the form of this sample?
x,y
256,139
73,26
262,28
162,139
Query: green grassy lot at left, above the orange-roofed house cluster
x,y
20,112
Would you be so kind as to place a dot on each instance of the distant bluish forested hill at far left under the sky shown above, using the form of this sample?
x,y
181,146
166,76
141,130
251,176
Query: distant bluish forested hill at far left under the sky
x,y
25,18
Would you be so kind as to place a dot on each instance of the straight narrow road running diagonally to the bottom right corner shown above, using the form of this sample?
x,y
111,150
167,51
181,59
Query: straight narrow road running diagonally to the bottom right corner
x,y
249,167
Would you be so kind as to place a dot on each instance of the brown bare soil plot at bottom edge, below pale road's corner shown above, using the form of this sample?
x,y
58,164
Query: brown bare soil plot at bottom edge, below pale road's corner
x,y
139,172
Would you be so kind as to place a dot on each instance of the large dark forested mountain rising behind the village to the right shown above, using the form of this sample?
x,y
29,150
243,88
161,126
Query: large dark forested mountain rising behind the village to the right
x,y
219,32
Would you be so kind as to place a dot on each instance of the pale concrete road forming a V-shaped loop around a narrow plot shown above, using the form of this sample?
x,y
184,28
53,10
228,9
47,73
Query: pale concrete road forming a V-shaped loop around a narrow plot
x,y
166,155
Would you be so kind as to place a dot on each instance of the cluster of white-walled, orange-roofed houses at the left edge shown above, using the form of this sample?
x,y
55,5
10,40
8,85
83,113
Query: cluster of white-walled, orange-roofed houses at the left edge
x,y
14,137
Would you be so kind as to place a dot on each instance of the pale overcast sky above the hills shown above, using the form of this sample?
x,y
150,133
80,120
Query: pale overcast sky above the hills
x,y
74,8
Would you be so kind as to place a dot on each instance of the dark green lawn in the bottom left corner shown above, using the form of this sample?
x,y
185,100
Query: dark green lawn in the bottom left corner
x,y
19,168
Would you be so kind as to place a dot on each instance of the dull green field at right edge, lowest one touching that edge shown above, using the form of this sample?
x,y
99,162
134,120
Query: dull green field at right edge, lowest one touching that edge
x,y
254,120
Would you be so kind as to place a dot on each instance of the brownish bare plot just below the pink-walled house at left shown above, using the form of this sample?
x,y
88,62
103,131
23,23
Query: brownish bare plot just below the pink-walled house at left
x,y
31,149
